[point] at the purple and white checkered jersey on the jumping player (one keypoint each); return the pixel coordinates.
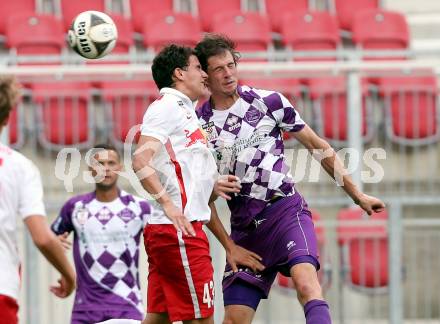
(247, 139)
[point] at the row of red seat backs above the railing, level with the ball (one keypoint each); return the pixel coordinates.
(31, 34)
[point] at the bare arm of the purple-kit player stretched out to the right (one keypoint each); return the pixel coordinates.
(322, 151)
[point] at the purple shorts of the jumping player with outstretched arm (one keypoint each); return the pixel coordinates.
(283, 234)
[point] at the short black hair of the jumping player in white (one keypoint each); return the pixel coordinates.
(169, 58)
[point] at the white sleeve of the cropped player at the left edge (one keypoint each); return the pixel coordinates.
(31, 192)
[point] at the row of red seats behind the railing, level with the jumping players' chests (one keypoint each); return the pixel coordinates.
(65, 110)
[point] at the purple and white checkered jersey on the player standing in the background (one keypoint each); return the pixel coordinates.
(106, 250)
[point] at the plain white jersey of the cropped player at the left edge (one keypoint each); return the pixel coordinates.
(21, 193)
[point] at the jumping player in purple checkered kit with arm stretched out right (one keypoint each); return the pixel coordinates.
(244, 126)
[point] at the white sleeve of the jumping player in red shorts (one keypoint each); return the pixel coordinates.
(158, 121)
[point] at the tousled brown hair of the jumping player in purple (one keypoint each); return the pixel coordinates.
(214, 44)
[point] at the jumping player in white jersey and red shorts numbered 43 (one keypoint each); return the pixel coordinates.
(181, 177)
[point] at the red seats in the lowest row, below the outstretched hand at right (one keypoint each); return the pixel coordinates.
(364, 252)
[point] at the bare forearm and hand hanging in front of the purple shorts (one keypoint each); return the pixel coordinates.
(235, 255)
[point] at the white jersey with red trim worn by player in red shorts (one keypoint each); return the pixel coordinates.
(185, 166)
